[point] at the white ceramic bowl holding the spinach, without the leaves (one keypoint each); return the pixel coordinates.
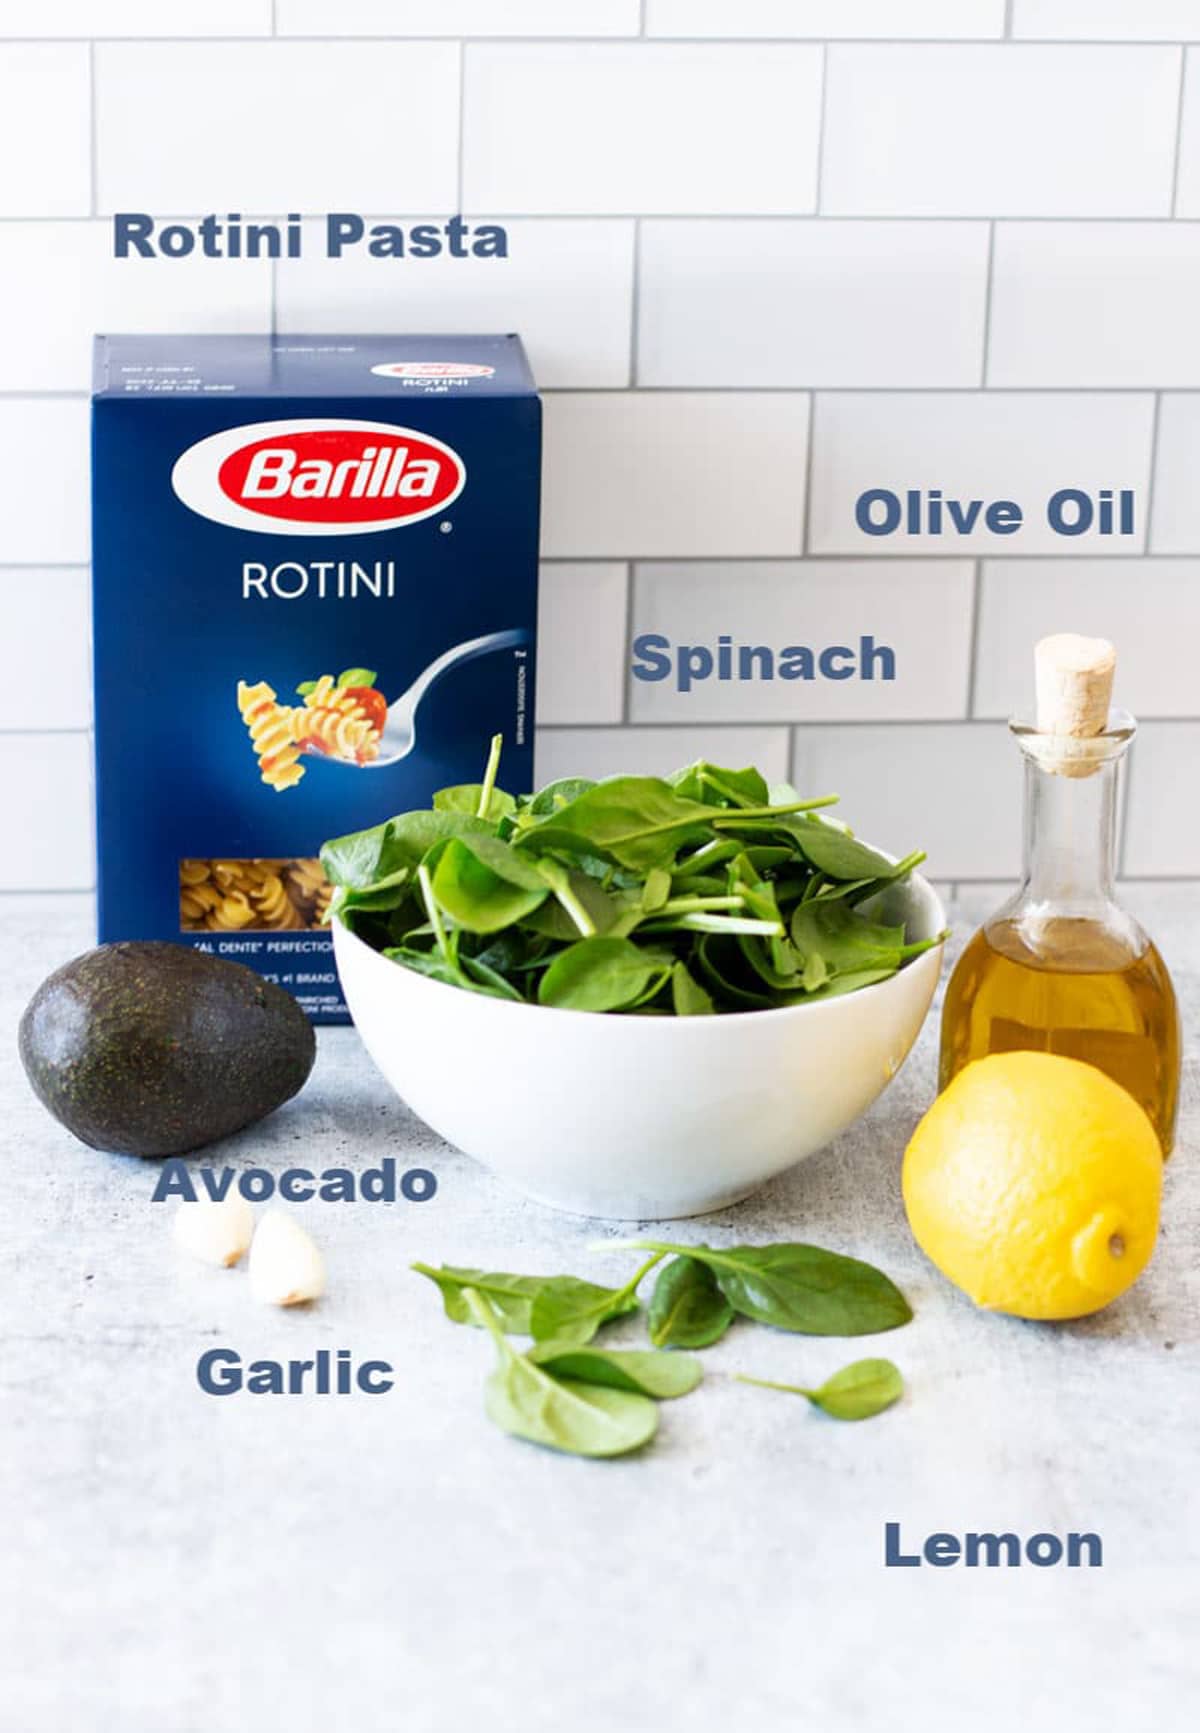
(639, 1117)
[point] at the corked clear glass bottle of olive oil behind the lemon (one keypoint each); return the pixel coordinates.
(1062, 968)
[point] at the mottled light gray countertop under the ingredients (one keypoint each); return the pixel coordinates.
(179, 1562)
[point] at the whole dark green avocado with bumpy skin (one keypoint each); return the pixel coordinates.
(157, 1049)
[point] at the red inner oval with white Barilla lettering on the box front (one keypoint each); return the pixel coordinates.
(342, 476)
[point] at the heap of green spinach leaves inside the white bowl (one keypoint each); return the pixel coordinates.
(695, 895)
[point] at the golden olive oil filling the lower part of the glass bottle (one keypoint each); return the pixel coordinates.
(1071, 987)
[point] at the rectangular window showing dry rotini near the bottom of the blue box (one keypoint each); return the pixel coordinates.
(261, 895)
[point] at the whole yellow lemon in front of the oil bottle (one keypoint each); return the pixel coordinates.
(1034, 1185)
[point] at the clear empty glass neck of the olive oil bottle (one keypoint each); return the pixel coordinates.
(1071, 833)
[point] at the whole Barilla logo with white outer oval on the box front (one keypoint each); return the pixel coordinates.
(318, 477)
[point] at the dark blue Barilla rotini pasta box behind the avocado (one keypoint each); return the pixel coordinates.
(315, 604)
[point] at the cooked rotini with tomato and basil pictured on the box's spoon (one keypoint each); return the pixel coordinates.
(339, 718)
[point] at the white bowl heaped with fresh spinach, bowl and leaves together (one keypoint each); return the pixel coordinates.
(639, 997)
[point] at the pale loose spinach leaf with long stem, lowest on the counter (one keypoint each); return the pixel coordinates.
(563, 1413)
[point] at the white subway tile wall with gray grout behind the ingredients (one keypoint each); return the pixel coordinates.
(767, 257)
